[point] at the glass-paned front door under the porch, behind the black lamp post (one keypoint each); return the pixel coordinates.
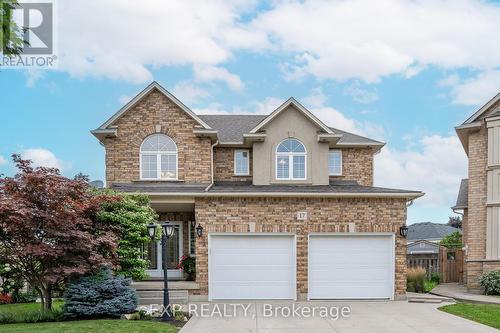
(174, 253)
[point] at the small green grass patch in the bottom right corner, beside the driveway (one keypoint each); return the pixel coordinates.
(487, 314)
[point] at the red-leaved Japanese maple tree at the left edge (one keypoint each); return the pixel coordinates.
(48, 229)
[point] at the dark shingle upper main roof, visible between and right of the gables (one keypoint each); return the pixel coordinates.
(232, 127)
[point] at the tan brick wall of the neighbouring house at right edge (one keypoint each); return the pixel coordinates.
(475, 222)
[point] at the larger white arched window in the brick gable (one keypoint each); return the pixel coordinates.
(158, 158)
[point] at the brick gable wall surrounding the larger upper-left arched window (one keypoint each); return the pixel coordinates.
(122, 152)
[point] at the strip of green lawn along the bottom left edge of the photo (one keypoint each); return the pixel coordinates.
(92, 326)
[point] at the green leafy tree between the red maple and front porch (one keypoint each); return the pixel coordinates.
(133, 213)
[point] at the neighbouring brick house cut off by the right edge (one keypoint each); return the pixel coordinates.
(479, 195)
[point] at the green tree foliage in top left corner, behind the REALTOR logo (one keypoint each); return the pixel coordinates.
(11, 35)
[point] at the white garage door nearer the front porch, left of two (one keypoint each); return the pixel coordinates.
(251, 267)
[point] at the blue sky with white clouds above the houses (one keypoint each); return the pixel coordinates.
(404, 72)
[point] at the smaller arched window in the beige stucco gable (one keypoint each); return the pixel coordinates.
(291, 157)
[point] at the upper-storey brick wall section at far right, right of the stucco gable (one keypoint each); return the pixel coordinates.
(357, 164)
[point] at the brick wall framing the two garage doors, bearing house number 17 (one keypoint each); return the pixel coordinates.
(278, 215)
